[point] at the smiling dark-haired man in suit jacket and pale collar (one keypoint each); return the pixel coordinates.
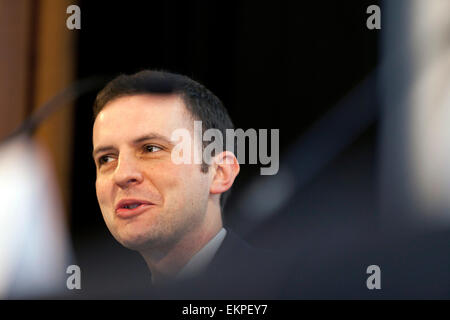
(171, 213)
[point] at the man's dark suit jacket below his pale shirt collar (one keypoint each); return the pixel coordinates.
(237, 271)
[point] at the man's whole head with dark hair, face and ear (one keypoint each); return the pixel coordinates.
(135, 117)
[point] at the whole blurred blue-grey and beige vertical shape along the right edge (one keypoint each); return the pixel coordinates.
(415, 79)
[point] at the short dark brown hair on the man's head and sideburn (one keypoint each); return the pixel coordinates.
(202, 104)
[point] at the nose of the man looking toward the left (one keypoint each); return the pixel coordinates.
(127, 172)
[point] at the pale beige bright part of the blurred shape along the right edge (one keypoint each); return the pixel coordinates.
(430, 105)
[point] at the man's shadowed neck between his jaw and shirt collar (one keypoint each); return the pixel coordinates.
(165, 263)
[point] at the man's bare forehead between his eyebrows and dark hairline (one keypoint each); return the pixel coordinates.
(131, 116)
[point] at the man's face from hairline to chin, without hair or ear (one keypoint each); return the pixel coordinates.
(147, 200)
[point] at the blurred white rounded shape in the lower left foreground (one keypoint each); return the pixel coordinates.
(34, 244)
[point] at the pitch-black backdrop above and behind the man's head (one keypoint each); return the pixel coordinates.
(274, 65)
